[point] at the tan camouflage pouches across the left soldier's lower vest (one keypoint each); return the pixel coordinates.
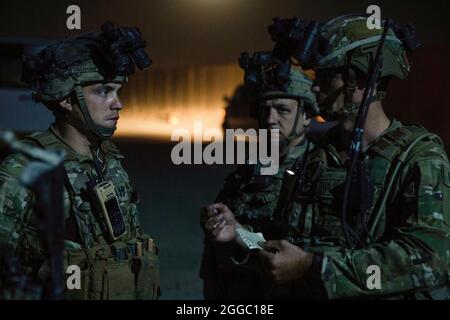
(116, 272)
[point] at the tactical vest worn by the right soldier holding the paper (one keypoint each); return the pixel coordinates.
(319, 199)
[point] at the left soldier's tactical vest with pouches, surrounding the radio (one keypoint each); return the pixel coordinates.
(127, 268)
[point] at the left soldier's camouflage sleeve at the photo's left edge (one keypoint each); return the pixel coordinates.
(14, 200)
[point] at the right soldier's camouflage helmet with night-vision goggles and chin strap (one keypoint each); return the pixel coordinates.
(346, 43)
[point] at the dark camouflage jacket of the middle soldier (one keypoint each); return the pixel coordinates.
(253, 198)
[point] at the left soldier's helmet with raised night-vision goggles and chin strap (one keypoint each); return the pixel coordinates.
(63, 68)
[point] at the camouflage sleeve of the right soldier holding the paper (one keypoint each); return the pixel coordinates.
(414, 258)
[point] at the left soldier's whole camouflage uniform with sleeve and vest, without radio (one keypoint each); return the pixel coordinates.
(124, 269)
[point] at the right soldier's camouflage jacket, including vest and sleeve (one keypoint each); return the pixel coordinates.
(411, 244)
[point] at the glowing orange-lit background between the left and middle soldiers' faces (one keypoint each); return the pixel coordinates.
(158, 102)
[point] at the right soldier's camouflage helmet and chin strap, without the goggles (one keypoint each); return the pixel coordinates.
(351, 47)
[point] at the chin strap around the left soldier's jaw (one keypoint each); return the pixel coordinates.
(95, 133)
